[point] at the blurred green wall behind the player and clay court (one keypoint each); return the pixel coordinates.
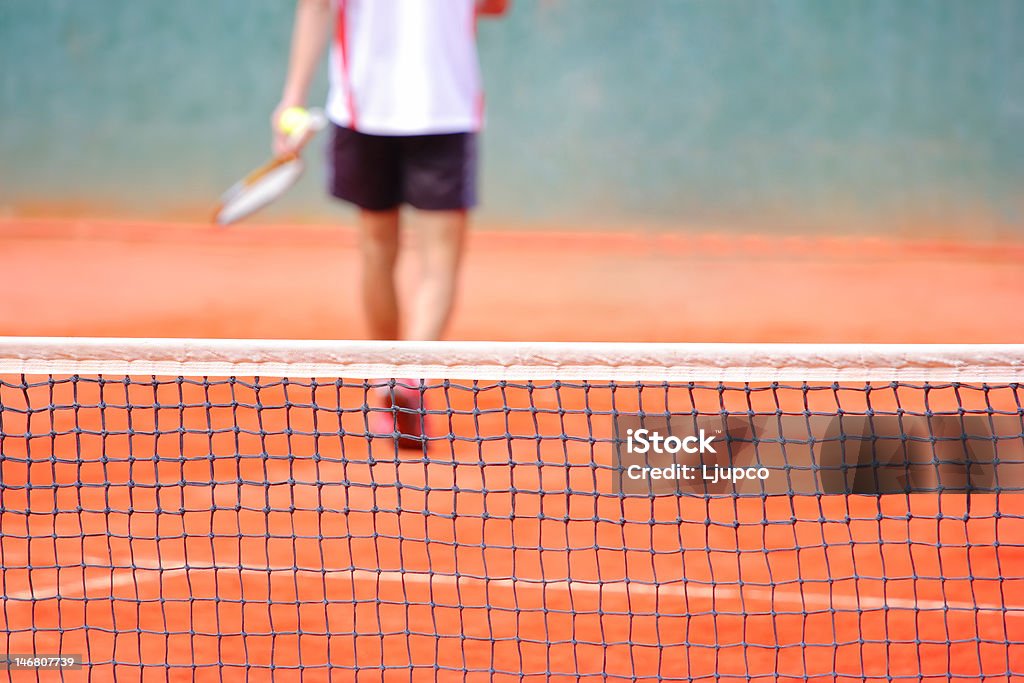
(842, 115)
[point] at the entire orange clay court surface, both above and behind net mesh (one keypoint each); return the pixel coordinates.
(163, 551)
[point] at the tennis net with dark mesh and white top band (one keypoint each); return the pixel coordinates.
(212, 510)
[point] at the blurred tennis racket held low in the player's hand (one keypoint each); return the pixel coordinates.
(270, 182)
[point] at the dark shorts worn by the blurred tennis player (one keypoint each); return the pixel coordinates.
(381, 173)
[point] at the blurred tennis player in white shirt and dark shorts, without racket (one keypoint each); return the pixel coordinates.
(406, 106)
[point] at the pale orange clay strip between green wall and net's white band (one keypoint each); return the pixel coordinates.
(151, 280)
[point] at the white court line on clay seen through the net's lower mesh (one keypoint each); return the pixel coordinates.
(155, 570)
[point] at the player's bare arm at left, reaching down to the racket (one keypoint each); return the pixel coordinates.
(313, 18)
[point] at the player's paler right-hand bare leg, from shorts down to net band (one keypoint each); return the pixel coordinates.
(441, 236)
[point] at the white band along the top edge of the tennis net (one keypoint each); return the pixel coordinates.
(515, 361)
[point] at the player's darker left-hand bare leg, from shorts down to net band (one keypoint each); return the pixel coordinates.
(379, 243)
